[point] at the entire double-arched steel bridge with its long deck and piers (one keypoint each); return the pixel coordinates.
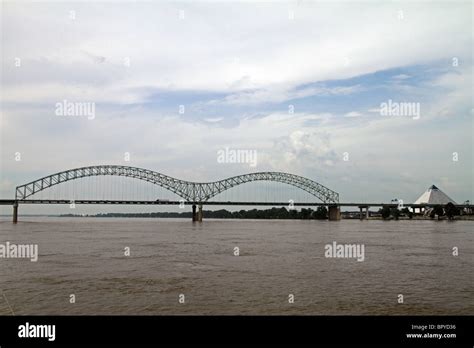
(193, 194)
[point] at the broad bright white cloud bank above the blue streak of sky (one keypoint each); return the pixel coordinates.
(213, 49)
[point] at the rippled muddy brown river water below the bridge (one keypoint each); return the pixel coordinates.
(85, 257)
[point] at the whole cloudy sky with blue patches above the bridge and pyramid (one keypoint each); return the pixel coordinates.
(301, 83)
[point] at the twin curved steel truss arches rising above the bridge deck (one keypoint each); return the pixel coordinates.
(198, 192)
